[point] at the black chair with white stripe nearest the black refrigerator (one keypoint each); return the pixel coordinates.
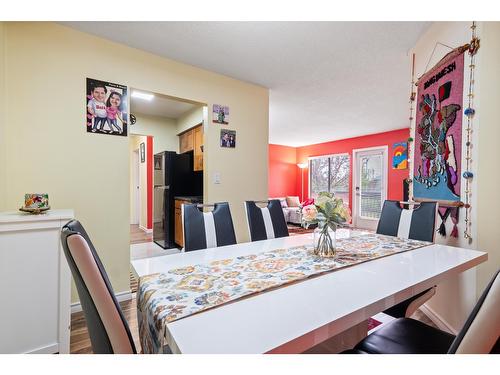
(203, 230)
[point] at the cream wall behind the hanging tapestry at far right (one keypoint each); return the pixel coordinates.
(456, 297)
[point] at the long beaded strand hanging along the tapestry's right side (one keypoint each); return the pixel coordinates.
(469, 113)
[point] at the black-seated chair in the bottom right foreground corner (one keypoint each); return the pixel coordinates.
(479, 335)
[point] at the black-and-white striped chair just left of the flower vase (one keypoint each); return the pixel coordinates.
(265, 222)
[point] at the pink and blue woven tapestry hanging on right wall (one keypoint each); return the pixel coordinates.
(438, 135)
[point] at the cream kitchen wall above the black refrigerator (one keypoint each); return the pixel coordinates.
(163, 130)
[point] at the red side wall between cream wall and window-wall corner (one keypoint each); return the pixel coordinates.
(282, 171)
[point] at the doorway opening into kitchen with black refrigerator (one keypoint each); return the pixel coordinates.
(169, 134)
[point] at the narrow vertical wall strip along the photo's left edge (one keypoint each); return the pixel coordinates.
(3, 177)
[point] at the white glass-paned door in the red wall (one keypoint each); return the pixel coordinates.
(370, 186)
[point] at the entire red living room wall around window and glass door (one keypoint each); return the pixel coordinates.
(280, 178)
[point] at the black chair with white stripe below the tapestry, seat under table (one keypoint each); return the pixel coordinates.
(418, 223)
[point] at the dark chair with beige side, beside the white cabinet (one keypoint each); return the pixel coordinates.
(108, 329)
